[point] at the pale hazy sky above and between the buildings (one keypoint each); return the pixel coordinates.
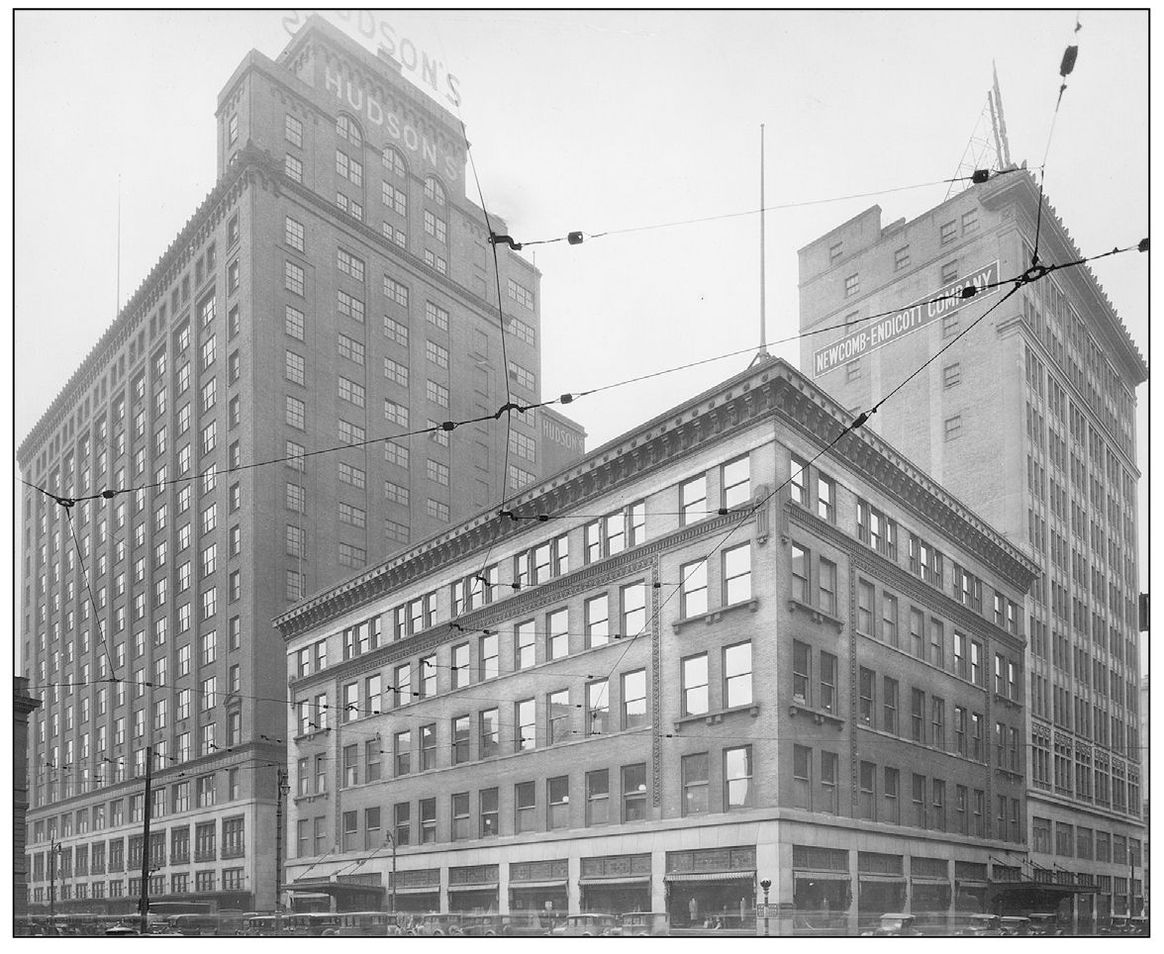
(599, 123)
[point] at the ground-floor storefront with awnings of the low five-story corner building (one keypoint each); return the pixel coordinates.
(824, 879)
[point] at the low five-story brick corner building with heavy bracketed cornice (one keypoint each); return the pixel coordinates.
(737, 644)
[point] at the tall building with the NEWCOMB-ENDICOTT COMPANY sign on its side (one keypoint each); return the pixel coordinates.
(1031, 419)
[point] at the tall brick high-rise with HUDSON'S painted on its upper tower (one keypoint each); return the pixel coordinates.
(335, 290)
